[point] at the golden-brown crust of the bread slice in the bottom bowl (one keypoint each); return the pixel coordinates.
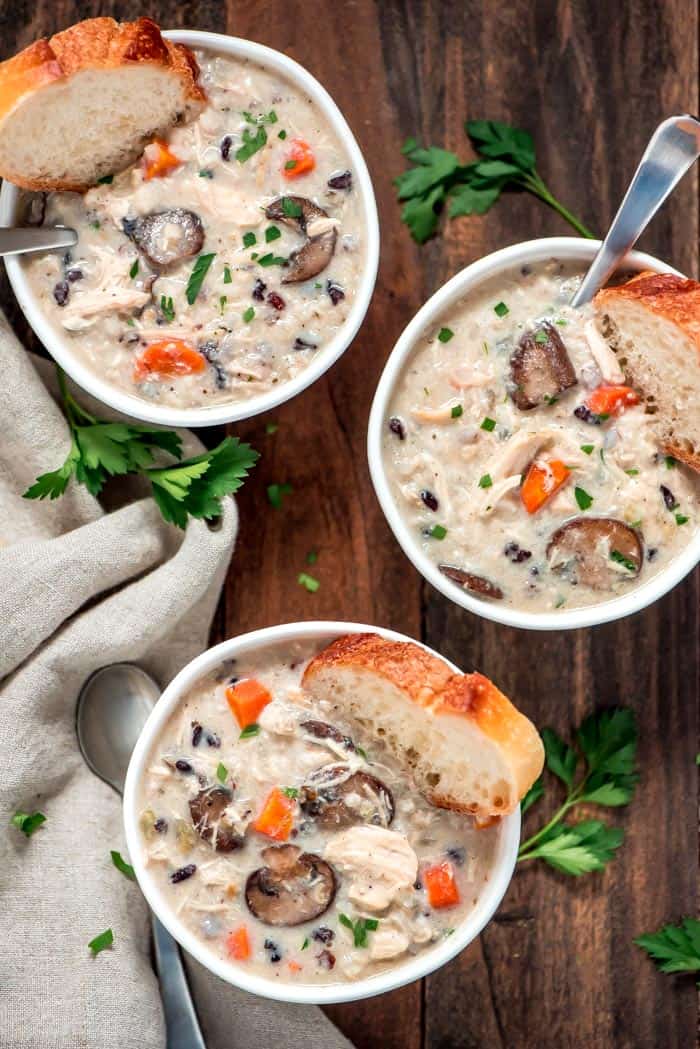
(428, 681)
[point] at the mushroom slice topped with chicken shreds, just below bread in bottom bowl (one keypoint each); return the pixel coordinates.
(335, 797)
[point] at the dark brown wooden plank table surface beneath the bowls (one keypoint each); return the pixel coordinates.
(557, 968)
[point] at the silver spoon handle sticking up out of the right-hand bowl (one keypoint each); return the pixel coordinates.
(673, 148)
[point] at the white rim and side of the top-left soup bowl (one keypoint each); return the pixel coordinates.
(59, 346)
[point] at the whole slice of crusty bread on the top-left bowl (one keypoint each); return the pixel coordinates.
(83, 104)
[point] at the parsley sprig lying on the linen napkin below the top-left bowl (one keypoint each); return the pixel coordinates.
(100, 451)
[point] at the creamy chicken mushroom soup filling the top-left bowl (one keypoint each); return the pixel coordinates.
(221, 264)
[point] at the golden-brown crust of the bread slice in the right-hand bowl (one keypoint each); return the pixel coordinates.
(675, 299)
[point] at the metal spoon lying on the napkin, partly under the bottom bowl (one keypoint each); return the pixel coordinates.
(113, 708)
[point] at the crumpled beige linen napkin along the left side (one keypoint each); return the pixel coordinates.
(80, 589)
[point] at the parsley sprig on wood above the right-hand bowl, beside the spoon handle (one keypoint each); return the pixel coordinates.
(506, 161)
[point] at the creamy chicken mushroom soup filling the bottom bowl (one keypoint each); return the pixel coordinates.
(291, 844)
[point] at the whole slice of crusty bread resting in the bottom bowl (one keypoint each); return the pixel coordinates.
(468, 746)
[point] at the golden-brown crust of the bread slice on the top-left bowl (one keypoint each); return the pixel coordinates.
(96, 44)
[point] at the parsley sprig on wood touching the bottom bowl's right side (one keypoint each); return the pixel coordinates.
(607, 751)
